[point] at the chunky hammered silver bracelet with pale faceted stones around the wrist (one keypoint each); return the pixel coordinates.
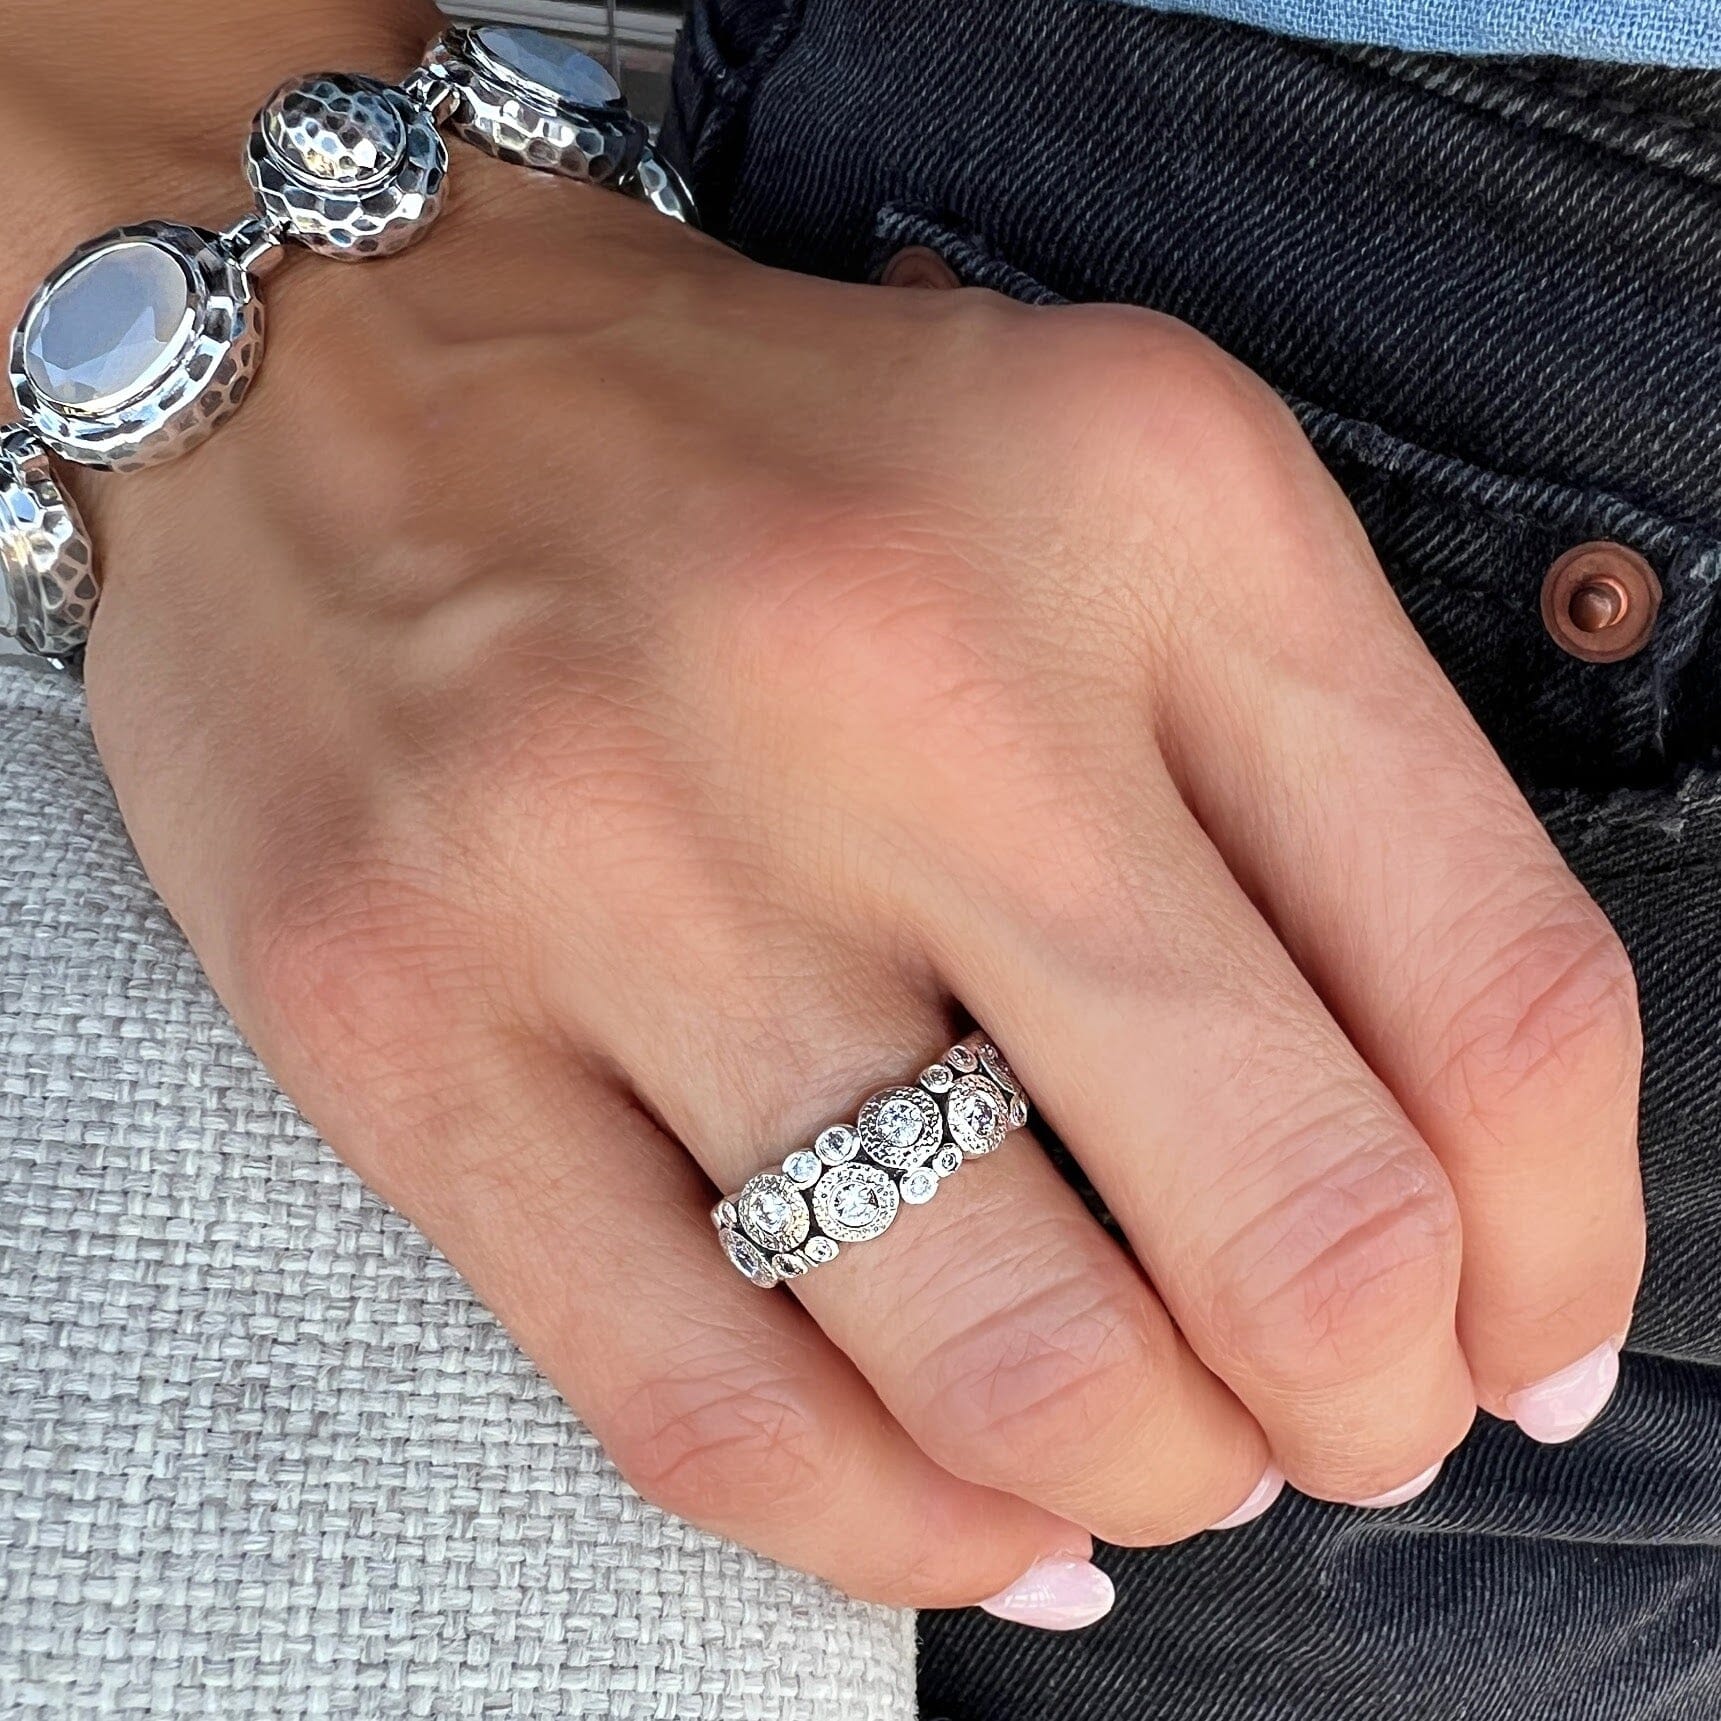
(147, 338)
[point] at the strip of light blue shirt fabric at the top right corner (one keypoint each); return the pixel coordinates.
(1646, 32)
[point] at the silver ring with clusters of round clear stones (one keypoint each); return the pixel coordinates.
(853, 1181)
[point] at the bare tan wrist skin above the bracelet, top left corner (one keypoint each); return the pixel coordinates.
(159, 102)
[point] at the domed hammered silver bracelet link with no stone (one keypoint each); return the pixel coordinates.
(347, 166)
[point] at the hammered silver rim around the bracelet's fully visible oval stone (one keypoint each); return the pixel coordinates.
(182, 400)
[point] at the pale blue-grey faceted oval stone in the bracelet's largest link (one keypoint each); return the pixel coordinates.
(111, 328)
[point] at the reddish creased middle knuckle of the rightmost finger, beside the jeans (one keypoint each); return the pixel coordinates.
(1555, 1011)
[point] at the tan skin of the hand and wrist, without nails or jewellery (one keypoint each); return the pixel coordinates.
(605, 706)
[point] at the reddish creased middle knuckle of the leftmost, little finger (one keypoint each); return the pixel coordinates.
(737, 1447)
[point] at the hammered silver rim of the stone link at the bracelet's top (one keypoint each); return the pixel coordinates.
(507, 114)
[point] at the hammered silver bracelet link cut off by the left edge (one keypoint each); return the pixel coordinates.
(49, 579)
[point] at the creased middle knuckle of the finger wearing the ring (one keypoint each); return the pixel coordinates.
(1037, 1386)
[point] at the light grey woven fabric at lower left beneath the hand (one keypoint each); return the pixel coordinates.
(262, 1455)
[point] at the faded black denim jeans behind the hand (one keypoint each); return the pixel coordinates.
(1495, 295)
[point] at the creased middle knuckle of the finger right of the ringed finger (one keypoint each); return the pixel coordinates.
(1343, 1271)
